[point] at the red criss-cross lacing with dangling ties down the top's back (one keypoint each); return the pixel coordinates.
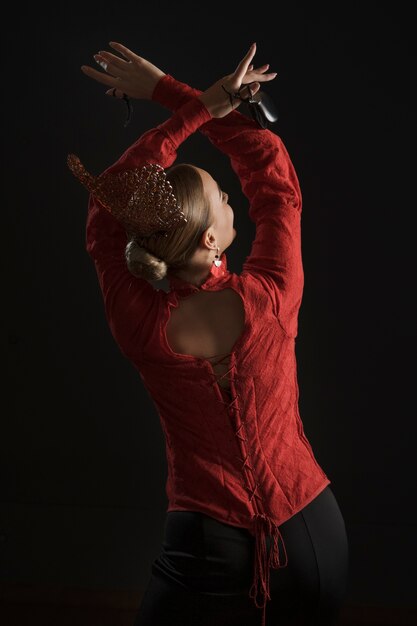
(263, 526)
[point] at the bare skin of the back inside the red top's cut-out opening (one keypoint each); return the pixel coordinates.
(207, 325)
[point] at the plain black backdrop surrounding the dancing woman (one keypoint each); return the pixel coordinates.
(83, 460)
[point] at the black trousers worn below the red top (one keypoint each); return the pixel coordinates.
(204, 571)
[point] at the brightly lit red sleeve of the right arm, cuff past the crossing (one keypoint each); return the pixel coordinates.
(269, 181)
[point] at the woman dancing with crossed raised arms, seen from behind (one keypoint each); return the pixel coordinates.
(251, 516)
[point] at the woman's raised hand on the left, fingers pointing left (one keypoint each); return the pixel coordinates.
(134, 76)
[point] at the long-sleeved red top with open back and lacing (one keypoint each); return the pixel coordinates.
(240, 457)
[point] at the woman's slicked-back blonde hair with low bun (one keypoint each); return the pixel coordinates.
(150, 257)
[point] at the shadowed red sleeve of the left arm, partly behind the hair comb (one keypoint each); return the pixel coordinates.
(129, 301)
